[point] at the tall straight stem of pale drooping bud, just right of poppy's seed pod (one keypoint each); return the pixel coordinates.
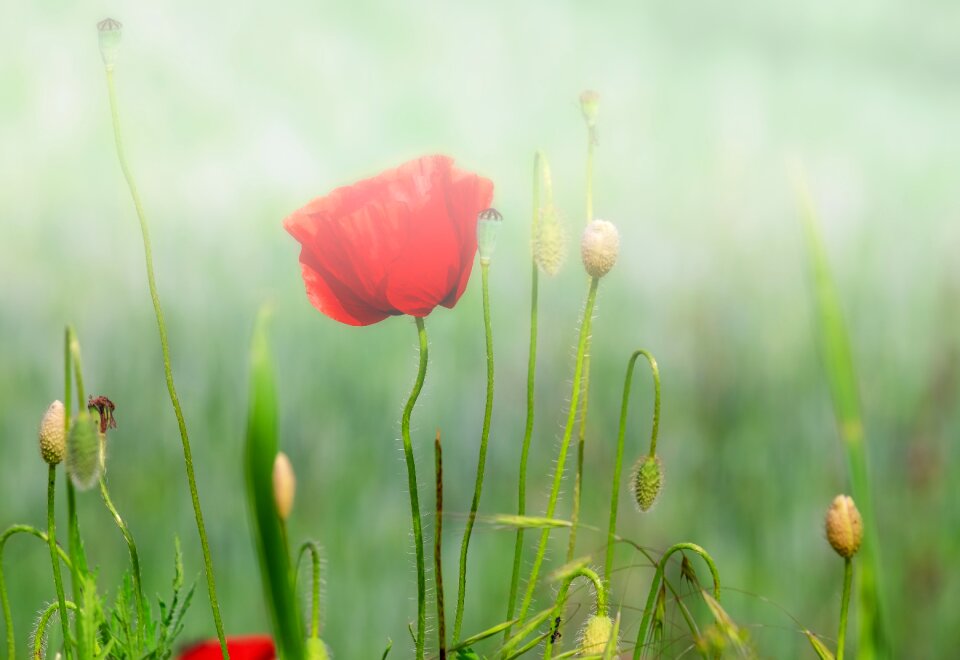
(531, 377)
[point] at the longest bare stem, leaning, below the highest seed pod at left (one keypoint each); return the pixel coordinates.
(168, 372)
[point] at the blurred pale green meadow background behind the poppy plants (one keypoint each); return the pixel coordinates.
(235, 117)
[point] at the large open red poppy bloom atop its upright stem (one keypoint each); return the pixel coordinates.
(402, 242)
